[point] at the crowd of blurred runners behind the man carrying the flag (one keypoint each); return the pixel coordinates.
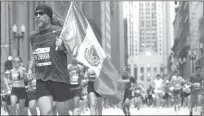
(18, 92)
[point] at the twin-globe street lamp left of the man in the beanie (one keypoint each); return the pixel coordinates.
(18, 36)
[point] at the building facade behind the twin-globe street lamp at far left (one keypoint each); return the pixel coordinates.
(20, 14)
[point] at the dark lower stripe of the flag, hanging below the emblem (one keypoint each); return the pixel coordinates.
(113, 91)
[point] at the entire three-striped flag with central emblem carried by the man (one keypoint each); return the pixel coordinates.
(77, 32)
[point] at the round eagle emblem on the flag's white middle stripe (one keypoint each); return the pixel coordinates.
(91, 56)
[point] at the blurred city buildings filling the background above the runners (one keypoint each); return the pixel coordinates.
(145, 37)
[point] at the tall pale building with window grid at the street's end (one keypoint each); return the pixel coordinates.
(150, 35)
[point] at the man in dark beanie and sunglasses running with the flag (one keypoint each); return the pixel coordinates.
(50, 64)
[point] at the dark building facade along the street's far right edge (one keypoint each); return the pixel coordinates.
(188, 36)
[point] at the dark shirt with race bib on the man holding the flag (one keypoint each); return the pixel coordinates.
(49, 63)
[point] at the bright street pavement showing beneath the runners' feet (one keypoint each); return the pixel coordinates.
(142, 111)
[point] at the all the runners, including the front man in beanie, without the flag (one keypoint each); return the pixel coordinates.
(45, 84)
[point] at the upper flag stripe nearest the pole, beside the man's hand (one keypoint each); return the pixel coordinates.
(74, 29)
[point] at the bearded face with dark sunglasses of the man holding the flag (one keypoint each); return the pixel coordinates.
(41, 19)
